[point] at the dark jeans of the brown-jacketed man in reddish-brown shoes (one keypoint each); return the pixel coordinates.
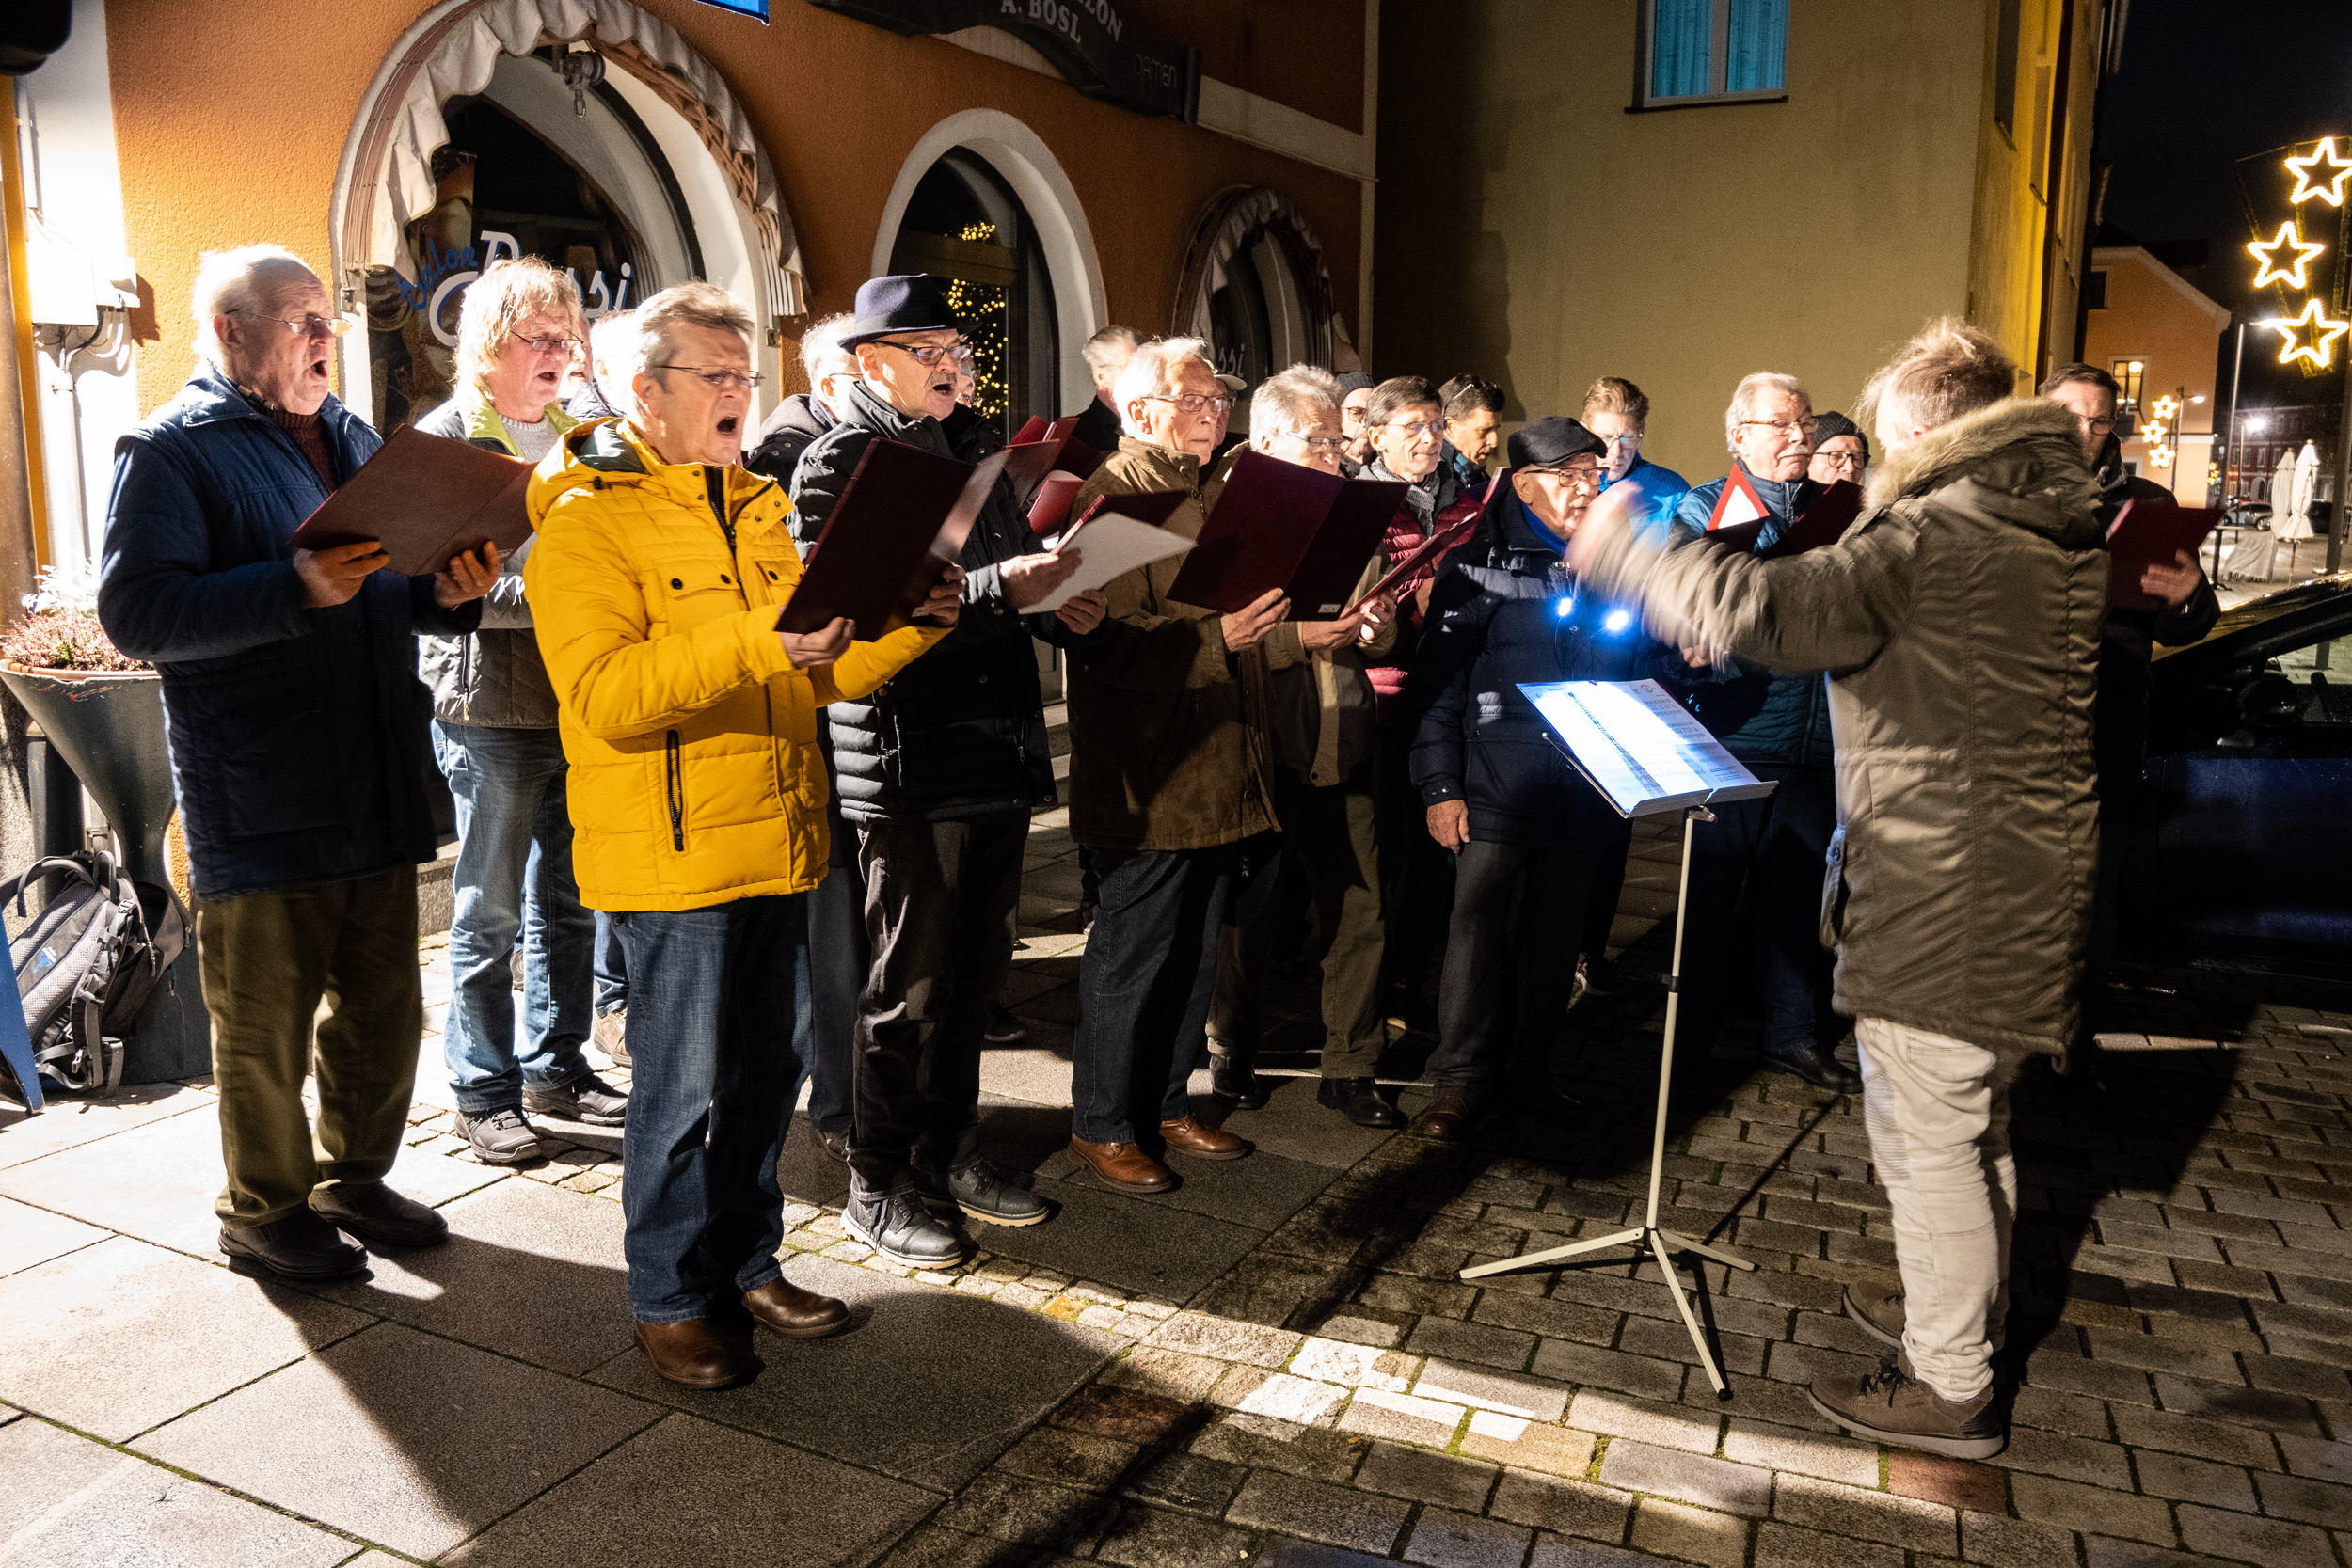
(1144, 989)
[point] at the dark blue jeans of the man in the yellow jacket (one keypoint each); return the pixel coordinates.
(714, 1005)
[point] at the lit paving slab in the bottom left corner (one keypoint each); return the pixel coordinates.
(74, 1503)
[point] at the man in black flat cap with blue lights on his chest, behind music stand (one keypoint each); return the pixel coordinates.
(1525, 829)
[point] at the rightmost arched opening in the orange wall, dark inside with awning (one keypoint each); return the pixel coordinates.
(1255, 286)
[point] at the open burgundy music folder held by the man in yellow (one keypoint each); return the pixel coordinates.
(900, 523)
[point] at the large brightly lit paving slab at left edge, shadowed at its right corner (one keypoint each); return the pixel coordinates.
(201, 1332)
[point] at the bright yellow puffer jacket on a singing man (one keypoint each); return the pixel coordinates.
(693, 742)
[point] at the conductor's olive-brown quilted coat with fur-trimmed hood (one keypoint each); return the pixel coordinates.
(1960, 624)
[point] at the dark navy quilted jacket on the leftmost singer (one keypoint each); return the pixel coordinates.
(298, 735)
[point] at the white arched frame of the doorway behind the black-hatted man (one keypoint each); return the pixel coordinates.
(1001, 161)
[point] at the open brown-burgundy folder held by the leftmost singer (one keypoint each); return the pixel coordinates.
(425, 500)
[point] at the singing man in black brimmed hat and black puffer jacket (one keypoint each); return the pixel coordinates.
(937, 772)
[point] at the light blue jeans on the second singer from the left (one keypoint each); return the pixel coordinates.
(514, 873)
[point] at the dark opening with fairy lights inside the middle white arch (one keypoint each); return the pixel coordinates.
(965, 225)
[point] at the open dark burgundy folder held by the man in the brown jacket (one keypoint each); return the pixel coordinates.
(1283, 525)
